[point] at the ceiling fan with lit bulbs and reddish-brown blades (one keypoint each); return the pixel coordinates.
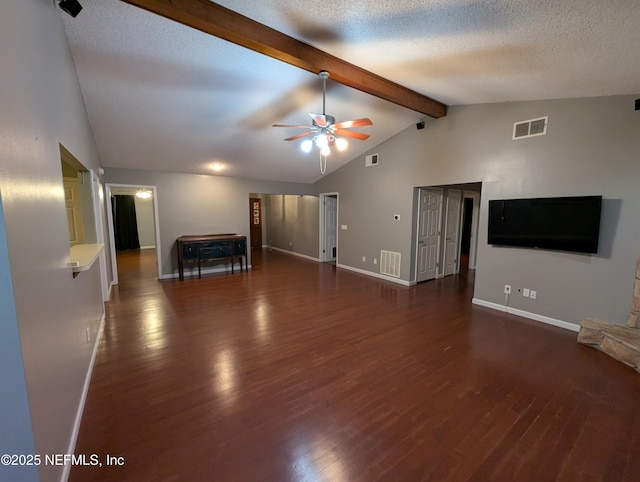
(324, 130)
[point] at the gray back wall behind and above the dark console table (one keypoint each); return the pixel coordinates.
(199, 204)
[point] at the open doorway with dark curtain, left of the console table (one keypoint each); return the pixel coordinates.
(132, 215)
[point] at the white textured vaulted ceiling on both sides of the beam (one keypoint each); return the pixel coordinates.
(166, 97)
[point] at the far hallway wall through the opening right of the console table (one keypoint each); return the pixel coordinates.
(292, 223)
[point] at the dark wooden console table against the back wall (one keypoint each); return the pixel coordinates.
(208, 247)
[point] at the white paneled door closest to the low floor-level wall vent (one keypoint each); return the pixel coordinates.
(429, 234)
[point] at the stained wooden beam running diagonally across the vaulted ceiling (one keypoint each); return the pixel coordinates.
(226, 24)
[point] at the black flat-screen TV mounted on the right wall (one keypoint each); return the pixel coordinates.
(555, 223)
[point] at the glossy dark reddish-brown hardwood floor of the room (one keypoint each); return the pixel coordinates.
(298, 371)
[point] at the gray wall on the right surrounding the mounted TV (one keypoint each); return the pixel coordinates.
(592, 148)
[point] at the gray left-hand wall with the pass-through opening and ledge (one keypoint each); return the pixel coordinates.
(41, 106)
